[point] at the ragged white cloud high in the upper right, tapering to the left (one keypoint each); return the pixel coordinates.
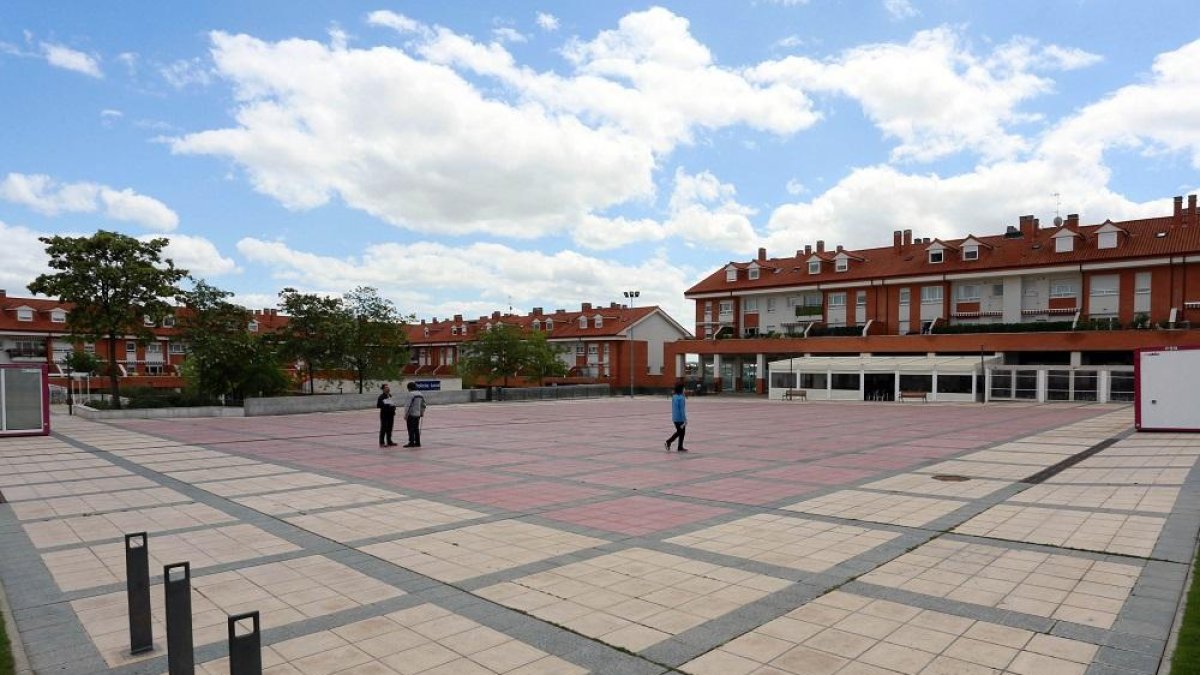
(935, 95)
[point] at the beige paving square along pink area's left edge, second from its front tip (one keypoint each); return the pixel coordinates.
(380, 521)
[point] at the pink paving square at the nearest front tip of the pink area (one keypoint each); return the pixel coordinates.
(635, 516)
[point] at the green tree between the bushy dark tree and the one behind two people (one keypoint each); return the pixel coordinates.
(317, 334)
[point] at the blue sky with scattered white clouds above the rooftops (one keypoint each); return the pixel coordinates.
(465, 157)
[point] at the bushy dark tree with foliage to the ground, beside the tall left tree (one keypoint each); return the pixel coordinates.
(224, 357)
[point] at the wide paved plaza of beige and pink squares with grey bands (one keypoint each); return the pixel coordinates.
(559, 539)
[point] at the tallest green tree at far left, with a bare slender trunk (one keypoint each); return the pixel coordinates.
(112, 282)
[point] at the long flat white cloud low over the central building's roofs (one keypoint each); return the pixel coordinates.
(493, 273)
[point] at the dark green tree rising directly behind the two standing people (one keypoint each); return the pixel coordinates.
(379, 345)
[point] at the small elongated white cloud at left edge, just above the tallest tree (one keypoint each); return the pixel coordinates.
(46, 196)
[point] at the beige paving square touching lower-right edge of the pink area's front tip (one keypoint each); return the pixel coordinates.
(785, 541)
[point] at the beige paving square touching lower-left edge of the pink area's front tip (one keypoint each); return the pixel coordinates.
(479, 549)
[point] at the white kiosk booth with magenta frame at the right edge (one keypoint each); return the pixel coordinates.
(1166, 390)
